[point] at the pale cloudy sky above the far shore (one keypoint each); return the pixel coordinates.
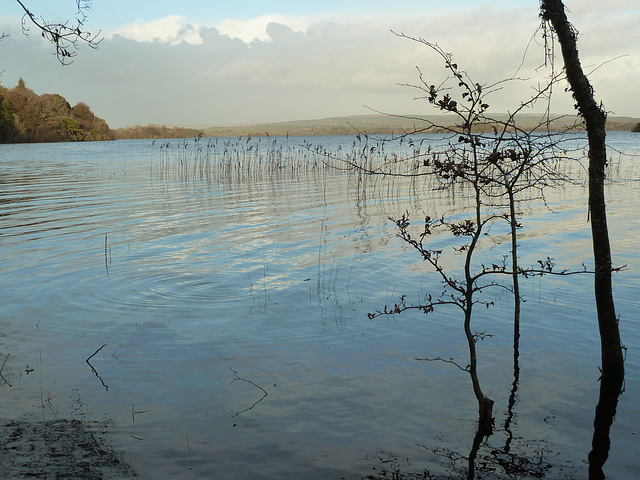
(202, 63)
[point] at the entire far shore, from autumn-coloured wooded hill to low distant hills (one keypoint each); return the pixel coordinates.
(28, 117)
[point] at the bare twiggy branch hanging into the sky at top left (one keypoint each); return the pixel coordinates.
(64, 36)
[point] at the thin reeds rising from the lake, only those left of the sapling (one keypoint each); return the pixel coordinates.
(380, 169)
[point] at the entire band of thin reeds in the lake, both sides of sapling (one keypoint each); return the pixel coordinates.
(380, 168)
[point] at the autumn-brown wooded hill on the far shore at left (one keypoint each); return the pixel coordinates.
(28, 117)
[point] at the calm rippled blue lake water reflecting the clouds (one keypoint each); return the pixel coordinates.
(226, 296)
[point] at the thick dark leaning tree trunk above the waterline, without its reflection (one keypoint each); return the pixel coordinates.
(595, 119)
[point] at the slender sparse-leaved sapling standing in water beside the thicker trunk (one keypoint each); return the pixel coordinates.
(497, 164)
